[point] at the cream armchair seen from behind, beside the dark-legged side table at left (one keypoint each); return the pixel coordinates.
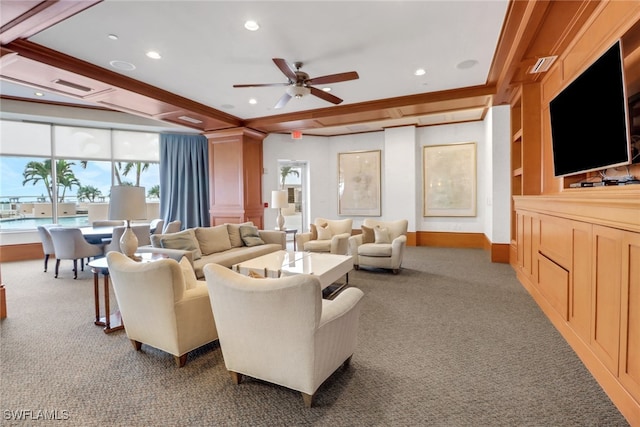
(162, 305)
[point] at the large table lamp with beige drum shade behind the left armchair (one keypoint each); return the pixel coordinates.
(128, 203)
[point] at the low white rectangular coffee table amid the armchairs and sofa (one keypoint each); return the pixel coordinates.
(327, 267)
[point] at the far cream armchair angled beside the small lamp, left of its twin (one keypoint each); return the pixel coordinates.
(327, 235)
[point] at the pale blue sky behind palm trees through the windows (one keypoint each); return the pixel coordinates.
(97, 174)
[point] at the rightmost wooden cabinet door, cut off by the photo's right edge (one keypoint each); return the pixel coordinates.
(630, 315)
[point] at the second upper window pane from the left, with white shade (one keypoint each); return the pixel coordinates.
(82, 143)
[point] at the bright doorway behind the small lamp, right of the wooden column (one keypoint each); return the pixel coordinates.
(293, 178)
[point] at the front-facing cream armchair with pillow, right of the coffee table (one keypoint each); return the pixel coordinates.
(380, 245)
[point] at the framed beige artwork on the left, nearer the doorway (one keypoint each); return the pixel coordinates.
(359, 183)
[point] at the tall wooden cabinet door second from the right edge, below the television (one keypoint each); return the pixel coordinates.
(605, 318)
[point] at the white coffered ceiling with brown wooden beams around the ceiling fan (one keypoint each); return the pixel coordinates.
(93, 53)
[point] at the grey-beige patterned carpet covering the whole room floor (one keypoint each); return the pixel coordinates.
(453, 340)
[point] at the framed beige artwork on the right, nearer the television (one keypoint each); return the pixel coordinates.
(449, 179)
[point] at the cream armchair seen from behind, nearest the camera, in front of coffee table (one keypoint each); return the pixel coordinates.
(281, 330)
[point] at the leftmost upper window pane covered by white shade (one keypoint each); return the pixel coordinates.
(25, 139)
